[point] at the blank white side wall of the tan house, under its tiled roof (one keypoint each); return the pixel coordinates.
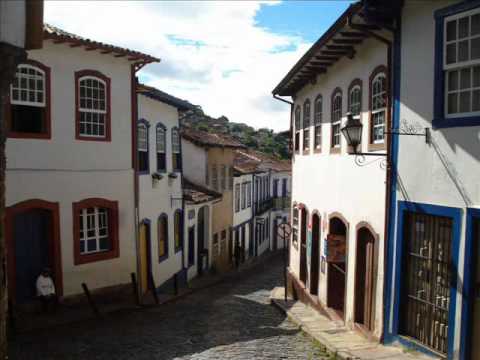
(195, 162)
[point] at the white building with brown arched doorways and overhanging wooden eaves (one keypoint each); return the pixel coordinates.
(336, 252)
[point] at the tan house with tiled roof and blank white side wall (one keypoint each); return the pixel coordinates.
(209, 160)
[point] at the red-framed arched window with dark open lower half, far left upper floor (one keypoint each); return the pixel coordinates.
(29, 115)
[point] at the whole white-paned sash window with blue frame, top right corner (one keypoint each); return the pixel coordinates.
(457, 66)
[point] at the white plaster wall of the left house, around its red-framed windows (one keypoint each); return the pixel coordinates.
(66, 170)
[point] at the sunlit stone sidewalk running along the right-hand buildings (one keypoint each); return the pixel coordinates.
(345, 343)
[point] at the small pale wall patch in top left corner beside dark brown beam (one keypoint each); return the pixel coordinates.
(12, 22)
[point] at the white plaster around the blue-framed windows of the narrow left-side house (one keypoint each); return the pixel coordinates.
(155, 196)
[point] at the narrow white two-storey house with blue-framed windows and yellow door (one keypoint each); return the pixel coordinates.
(161, 217)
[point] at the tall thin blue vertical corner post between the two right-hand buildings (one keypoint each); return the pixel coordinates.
(396, 83)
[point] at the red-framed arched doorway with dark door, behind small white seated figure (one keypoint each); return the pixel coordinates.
(33, 241)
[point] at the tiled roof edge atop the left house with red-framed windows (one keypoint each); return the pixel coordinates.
(60, 36)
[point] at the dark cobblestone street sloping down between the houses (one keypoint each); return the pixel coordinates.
(229, 321)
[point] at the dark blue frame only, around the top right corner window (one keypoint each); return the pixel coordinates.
(439, 121)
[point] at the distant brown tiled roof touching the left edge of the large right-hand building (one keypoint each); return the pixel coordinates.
(251, 161)
